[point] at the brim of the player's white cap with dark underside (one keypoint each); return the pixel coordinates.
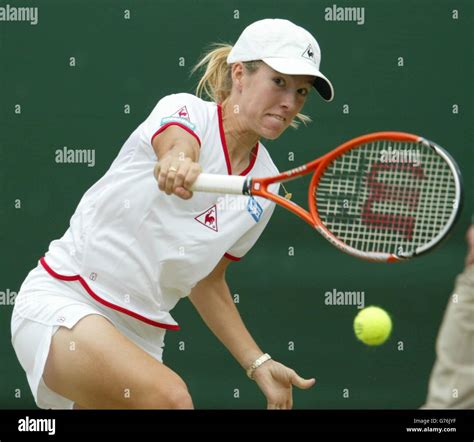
(291, 66)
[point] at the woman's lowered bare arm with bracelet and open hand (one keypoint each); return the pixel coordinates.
(212, 299)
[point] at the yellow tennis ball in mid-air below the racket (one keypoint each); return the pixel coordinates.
(372, 325)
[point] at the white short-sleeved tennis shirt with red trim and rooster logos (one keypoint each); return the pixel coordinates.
(138, 250)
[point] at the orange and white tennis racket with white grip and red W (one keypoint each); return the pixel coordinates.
(384, 196)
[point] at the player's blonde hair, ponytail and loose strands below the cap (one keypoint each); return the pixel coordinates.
(216, 82)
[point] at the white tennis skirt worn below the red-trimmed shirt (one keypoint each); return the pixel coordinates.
(44, 304)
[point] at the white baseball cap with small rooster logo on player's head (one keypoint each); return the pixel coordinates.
(285, 47)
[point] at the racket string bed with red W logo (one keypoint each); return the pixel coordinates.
(386, 196)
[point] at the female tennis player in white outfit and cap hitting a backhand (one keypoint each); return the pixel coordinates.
(90, 319)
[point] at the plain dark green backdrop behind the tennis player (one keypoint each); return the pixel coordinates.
(135, 61)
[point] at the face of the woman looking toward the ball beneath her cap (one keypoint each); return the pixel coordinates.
(269, 100)
